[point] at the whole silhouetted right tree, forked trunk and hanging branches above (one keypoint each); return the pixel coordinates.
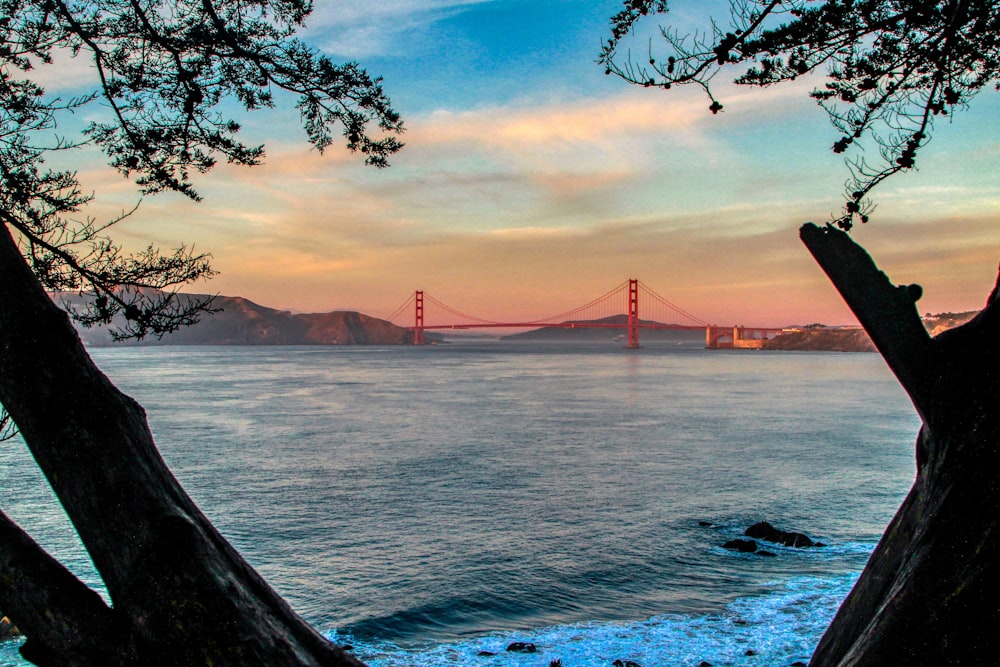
(928, 595)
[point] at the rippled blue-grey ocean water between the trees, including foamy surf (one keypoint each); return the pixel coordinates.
(429, 506)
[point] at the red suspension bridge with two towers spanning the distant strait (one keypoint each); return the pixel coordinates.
(616, 309)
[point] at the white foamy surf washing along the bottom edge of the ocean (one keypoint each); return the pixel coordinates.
(778, 629)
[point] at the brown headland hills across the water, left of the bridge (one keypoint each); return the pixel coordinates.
(243, 322)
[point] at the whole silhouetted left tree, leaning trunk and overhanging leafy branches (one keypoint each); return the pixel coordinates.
(166, 76)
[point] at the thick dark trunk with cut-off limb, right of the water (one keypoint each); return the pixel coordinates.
(930, 593)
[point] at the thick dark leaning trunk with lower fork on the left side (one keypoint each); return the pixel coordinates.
(180, 594)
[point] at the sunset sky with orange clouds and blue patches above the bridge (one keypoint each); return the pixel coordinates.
(532, 183)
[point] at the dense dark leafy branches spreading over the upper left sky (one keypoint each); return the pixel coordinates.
(163, 72)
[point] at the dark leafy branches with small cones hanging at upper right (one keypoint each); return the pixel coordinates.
(892, 67)
